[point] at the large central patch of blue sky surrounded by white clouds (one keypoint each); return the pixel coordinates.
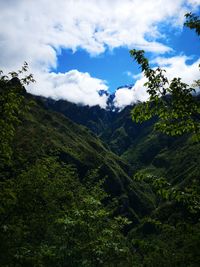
(110, 66)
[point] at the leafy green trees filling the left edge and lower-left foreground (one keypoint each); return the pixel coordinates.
(48, 217)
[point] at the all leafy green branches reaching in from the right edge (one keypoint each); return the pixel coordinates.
(176, 108)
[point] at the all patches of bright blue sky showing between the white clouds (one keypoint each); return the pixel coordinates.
(114, 66)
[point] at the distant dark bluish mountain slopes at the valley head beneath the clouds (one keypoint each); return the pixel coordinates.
(116, 129)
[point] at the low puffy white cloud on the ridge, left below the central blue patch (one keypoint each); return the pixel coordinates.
(74, 86)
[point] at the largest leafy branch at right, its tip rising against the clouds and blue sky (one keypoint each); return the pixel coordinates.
(172, 102)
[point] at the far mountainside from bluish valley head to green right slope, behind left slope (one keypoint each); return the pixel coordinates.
(137, 144)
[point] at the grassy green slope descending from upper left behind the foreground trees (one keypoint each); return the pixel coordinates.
(45, 132)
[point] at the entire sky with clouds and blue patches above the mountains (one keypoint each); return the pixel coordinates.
(76, 48)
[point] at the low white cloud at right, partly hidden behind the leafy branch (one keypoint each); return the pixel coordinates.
(175, 67)
